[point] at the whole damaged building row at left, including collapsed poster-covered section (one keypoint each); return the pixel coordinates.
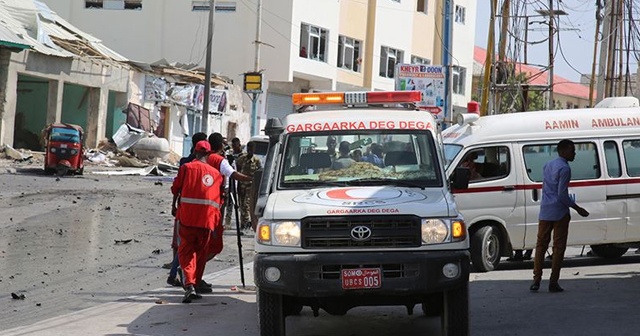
(50, 71)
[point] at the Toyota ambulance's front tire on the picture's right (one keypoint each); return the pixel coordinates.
(455, 315)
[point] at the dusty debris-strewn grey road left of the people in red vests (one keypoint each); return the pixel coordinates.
(82, 241)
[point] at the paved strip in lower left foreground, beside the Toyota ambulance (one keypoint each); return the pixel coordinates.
(160, 312)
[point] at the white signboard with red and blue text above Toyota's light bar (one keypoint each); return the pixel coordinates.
(429, 79)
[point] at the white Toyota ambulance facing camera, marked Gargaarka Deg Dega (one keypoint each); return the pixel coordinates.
(355, 210)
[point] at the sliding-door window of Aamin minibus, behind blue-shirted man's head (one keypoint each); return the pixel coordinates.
(584, 166)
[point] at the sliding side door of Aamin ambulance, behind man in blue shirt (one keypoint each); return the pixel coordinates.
(586, 188)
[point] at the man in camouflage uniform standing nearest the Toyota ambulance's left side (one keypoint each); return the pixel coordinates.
(247, 164)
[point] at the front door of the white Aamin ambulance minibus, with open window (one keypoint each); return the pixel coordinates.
(492, 194)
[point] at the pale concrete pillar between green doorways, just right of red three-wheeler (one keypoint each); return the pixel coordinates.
(96, 116)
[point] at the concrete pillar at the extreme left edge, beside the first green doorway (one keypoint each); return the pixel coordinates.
(8, 97)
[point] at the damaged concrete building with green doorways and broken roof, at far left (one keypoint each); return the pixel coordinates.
(52, 72)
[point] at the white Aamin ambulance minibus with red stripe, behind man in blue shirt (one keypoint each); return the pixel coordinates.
(506, 154)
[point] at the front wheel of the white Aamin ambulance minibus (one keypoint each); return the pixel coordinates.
(485, 249)
